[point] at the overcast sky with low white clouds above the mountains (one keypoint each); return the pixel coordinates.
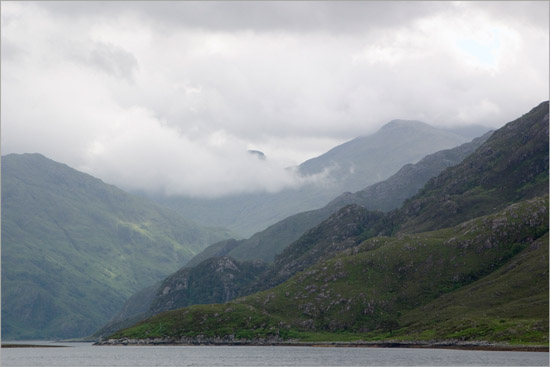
(168, 97)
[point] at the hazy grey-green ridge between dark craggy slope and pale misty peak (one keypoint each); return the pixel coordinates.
(386, 195)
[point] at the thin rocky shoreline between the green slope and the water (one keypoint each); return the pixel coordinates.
(276, 341)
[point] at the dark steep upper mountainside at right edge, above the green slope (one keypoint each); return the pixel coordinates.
(512, 165)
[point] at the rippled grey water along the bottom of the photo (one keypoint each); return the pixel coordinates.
(84, 354)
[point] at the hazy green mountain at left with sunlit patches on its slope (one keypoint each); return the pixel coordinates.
(74, 248)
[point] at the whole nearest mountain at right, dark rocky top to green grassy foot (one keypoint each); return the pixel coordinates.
(344, 277)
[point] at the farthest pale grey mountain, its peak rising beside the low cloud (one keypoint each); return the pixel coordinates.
(348, 167)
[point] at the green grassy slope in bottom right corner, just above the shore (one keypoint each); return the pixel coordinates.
(510, 304)
